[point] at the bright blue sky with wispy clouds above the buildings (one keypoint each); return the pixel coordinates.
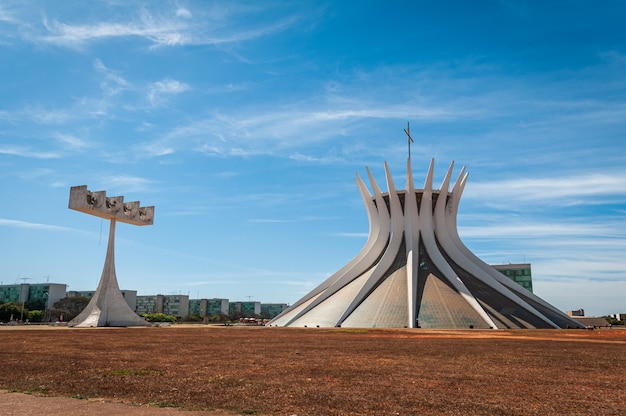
(245, 124)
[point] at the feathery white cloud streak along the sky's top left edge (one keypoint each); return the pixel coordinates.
(226, 23)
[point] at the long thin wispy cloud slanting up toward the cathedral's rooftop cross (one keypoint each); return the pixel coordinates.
(258, 131)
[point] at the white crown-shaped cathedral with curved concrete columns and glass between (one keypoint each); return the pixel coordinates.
(414, 271)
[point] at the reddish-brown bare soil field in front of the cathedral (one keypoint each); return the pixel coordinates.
(314, 371)
